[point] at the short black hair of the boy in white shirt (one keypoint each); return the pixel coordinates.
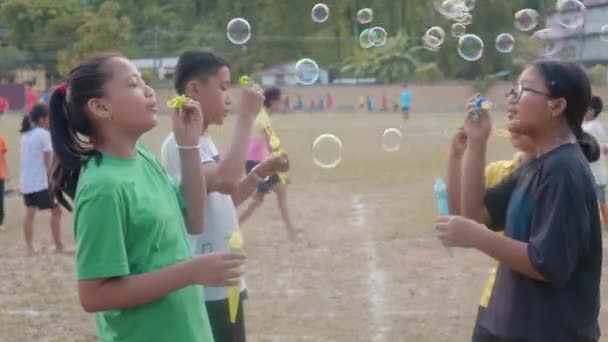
(198, 63)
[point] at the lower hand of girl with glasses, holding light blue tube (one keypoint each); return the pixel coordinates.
(458, 231)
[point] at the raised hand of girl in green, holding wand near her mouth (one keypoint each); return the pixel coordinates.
(188, 123)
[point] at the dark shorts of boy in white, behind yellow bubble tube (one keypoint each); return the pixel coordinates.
(219, 318)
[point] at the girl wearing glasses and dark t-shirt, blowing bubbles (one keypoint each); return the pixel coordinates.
(547, 283)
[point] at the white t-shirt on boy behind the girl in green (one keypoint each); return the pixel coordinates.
(220, 219)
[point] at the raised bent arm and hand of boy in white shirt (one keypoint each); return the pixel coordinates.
(225, 175)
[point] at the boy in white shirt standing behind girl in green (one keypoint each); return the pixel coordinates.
(205, 77)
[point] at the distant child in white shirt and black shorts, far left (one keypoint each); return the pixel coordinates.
(35, 169)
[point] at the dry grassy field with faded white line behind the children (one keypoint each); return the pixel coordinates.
(371, 271)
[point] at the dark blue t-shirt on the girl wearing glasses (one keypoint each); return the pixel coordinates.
(551, 204)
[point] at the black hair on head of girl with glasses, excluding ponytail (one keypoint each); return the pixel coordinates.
(569, 81)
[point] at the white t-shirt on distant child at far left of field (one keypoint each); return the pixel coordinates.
(32, 171)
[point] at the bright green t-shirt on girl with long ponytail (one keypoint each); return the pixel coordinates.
(128, 220)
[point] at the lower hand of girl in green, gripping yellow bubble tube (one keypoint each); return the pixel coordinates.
(216, 269)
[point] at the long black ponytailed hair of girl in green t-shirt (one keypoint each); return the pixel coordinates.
(71, 131)
